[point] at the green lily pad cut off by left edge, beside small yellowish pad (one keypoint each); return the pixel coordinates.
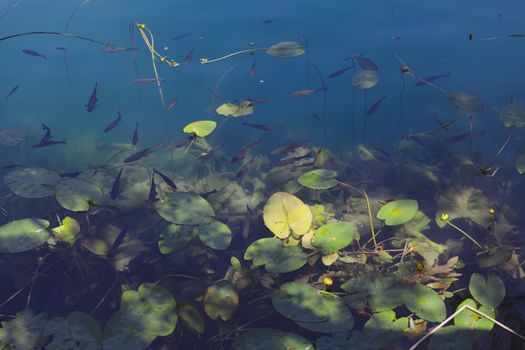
(23, 235)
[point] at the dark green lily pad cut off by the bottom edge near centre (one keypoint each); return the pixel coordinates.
(267, 338)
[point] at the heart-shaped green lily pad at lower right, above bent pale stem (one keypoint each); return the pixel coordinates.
(489, 291)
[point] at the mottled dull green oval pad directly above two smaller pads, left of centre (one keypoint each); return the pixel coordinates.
(185, 208)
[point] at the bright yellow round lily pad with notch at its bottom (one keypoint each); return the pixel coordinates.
(284, 212)
